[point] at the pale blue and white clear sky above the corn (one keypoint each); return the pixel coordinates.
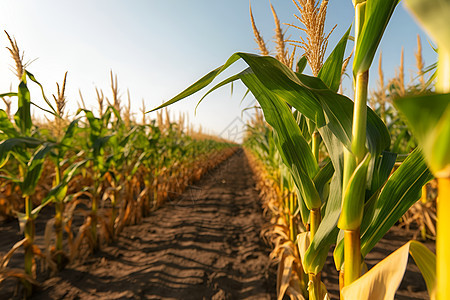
(159, 47)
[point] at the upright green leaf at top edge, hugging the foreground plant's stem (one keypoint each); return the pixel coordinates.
(377, 16)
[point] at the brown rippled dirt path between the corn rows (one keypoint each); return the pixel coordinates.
(204, 244)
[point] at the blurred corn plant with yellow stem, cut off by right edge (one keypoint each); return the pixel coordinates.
(434, 128)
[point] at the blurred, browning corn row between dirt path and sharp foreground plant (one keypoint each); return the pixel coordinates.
(279, 197)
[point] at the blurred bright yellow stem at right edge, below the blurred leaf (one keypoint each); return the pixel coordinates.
(443, 240)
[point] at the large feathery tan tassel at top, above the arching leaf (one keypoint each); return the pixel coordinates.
(312, 16)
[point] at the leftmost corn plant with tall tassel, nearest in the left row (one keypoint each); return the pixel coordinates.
(19, 139)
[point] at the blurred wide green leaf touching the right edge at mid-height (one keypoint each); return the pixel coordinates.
(433, 130)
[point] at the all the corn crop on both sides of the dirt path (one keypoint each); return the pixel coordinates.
(334, 174)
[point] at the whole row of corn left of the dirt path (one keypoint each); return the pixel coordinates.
(105, 168)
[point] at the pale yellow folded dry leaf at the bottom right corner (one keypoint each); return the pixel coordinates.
(383, 280)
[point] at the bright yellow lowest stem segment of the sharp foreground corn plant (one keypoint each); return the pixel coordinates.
(352, 256)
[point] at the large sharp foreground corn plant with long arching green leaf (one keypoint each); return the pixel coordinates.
(365, 201)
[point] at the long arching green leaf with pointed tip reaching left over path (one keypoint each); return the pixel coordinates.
(308, 95)
